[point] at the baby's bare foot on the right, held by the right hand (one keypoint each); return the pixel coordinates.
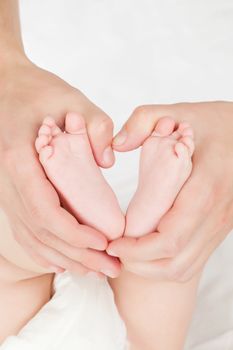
(165, 165)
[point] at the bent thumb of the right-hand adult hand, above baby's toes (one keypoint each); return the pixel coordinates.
(140, 125)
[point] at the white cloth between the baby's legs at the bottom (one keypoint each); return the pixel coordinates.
(81, 316)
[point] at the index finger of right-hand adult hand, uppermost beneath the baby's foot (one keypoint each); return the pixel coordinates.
(174, 231)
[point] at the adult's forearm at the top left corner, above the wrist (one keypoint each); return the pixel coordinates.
(11, 45)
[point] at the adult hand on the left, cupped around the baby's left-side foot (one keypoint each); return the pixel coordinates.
(48, 232)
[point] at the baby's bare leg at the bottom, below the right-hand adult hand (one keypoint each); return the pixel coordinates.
(157, 314)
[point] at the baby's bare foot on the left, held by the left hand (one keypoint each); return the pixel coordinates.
(69, 164)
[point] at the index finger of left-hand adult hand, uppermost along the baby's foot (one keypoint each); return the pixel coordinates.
(43, 208)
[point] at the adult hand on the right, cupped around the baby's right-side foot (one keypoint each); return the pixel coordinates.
(202, 214)
